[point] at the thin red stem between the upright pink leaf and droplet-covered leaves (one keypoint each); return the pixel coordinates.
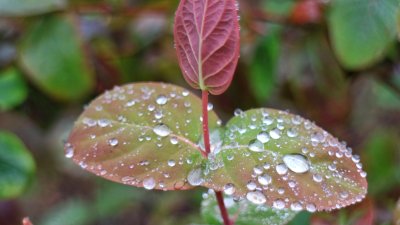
(206, 134)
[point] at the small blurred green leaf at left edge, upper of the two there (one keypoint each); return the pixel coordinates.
(13, 90)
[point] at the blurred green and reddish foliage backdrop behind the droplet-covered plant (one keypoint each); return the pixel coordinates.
(336, 62)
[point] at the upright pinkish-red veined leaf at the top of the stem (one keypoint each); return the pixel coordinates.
(207, 43)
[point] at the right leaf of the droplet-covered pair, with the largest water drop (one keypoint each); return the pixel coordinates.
(299, 166)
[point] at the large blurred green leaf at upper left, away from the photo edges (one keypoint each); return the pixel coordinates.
(52, 56)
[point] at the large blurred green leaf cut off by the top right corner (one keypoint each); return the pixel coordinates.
(362, 30)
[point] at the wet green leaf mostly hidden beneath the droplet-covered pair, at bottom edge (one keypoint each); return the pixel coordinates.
(243, 211)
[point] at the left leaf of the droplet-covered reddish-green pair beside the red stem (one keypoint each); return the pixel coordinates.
(143, 134)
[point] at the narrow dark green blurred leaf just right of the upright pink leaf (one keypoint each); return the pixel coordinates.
(264, 65)
